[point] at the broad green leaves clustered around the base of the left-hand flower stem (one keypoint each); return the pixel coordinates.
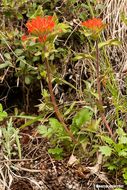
(58, 137)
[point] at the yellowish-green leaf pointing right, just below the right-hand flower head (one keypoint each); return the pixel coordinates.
(109, 43)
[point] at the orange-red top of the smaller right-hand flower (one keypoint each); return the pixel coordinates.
(93, 24)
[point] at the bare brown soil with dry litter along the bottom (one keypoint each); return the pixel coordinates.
(37, 170)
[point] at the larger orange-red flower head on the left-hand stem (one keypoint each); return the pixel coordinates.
(41, 27)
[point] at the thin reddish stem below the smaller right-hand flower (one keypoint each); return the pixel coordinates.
(99, 91)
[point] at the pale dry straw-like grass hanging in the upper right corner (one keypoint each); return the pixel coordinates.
(116, 29)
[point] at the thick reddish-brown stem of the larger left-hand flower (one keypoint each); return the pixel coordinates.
(56, 109)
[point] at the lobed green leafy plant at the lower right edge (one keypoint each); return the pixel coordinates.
(116, 152)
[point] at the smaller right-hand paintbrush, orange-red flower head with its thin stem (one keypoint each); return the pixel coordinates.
(92, 28)
